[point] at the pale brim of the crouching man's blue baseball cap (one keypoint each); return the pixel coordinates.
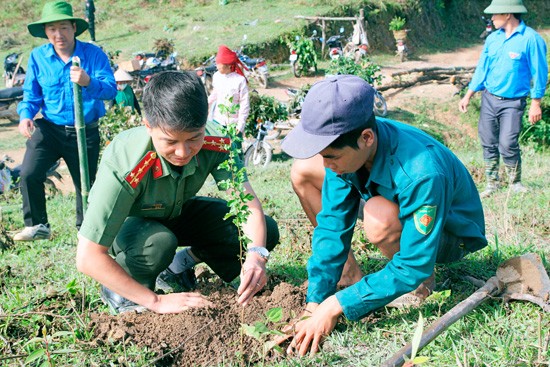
(302, 145)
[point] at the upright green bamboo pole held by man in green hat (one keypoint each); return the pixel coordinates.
(80, 128)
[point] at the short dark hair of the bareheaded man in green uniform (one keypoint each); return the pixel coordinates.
(175, 101)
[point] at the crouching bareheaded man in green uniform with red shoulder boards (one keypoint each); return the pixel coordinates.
(143, 206)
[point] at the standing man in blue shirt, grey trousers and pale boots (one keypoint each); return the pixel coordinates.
(512, 65)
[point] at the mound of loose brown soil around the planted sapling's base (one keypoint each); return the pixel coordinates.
(202, 337)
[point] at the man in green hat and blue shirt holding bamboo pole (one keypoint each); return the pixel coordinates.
(48, 89)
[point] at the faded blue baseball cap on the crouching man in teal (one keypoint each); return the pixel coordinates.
(332, 107)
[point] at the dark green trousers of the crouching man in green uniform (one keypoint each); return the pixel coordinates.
(144, 246)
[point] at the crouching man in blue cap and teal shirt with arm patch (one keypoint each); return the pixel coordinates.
(421, 205)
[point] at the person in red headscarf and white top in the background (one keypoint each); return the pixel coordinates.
(230, 87)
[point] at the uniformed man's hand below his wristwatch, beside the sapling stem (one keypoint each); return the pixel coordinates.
(253, 277)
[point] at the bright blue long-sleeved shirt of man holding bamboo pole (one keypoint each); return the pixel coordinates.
(48, 85)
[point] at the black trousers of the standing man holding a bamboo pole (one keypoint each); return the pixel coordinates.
(48, 143)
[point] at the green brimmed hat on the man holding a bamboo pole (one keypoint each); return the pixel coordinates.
(54, 12)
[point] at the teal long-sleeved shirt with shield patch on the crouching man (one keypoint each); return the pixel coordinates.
(434, 192)
